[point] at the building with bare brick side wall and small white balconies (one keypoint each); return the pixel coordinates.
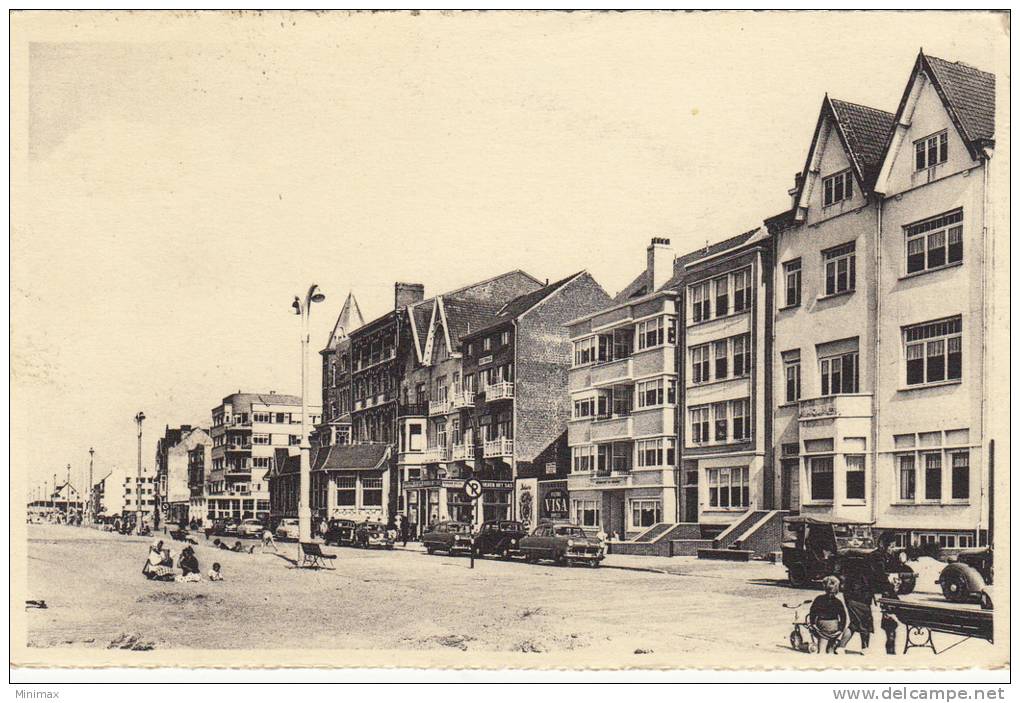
(519, 367)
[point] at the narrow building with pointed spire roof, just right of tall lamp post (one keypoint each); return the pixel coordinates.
(335, 427)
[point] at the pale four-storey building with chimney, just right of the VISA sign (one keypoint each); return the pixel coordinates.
(623, 431)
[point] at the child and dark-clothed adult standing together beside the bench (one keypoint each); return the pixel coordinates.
(836, 620)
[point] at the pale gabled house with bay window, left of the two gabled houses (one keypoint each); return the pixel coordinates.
(826, 331)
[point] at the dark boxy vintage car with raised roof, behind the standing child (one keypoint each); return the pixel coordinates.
(820, 547)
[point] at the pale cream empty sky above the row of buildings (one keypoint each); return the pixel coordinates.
(177, 179)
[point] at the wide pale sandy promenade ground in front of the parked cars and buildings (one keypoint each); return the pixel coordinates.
(399, 599)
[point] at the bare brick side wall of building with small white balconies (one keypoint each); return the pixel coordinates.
(544, 356)
